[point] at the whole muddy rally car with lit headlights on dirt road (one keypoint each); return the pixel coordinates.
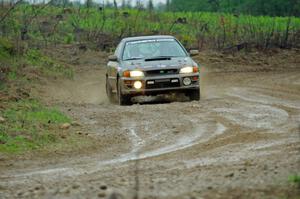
(151, 65)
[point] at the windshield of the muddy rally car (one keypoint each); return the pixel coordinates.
(148, 49)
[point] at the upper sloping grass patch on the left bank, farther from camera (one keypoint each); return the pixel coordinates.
(17, 65)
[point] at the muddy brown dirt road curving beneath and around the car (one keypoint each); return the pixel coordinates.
(240, 141)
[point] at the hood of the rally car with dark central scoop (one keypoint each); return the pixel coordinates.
(174, 63)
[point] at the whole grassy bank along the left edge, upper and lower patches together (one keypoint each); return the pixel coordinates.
(29, 125)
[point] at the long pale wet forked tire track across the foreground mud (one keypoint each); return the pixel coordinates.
(189, 139)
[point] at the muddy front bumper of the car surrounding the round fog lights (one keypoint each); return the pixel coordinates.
(160, 84)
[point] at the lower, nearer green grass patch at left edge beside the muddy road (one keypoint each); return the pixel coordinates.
(28, 126)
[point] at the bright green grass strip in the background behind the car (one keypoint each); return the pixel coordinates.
(218, 28)
